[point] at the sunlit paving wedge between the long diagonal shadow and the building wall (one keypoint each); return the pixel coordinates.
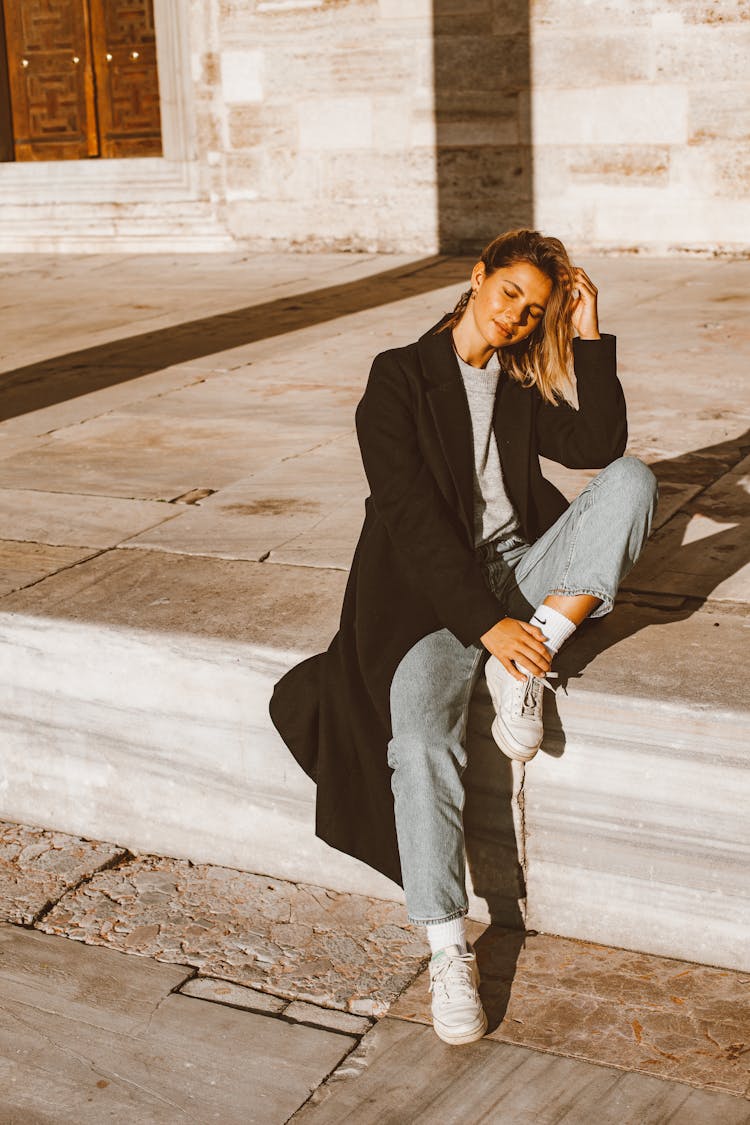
(118, 295)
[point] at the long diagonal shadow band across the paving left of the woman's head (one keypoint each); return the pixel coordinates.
(64, 377)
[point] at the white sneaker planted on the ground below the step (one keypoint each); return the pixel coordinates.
(457, 1012)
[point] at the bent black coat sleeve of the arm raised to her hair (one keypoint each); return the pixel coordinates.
(597, 434)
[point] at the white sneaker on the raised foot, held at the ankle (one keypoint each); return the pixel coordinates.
(518, 727)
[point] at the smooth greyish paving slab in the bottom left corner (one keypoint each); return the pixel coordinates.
(91, 1036)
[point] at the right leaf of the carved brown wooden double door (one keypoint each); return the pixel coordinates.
(125, 62)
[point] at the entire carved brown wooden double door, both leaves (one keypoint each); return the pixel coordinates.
(83, 79)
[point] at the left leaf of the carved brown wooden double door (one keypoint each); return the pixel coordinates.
(51, 78)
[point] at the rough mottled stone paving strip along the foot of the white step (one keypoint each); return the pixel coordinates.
(336, 961)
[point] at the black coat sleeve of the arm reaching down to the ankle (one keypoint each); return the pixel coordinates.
(420, 521)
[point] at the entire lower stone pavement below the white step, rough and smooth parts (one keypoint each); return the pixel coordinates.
(202, 994)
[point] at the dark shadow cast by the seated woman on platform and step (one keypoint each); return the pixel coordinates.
(703, 545)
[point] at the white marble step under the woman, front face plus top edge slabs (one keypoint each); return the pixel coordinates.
(630, 829)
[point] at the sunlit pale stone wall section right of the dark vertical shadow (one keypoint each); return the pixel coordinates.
(641, 123)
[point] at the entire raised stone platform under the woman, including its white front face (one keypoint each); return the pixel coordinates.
(182, 494)
